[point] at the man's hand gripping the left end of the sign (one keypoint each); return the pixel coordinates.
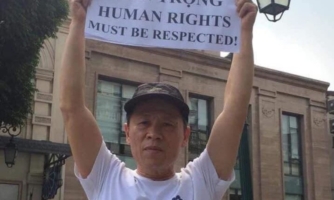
(78, 10)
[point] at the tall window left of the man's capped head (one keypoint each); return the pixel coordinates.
(111, 116)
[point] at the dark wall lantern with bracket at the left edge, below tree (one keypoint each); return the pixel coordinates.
(10, 148)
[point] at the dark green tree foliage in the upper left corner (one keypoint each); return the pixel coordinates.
(24, 26)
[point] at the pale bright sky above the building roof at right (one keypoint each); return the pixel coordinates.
(301, 43)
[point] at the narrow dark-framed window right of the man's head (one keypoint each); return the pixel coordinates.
(199, 121)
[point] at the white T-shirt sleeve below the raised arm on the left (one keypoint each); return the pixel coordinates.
(104, 162)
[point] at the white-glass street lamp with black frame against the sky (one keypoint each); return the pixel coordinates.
(275, 8)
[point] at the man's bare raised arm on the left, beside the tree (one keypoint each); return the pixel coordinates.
(82, 130)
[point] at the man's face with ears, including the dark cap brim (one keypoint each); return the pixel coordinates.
(156, 134)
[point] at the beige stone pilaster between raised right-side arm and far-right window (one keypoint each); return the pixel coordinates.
(269, 146)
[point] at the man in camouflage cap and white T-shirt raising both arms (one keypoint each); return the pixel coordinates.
(156, 129)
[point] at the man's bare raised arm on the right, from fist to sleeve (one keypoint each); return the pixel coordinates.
(225, 137)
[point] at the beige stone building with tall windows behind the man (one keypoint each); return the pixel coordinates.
(285, 151)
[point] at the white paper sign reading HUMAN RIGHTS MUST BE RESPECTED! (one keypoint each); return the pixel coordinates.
(179, 24)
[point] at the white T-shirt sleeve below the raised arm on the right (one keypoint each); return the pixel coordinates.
(205, 175)
